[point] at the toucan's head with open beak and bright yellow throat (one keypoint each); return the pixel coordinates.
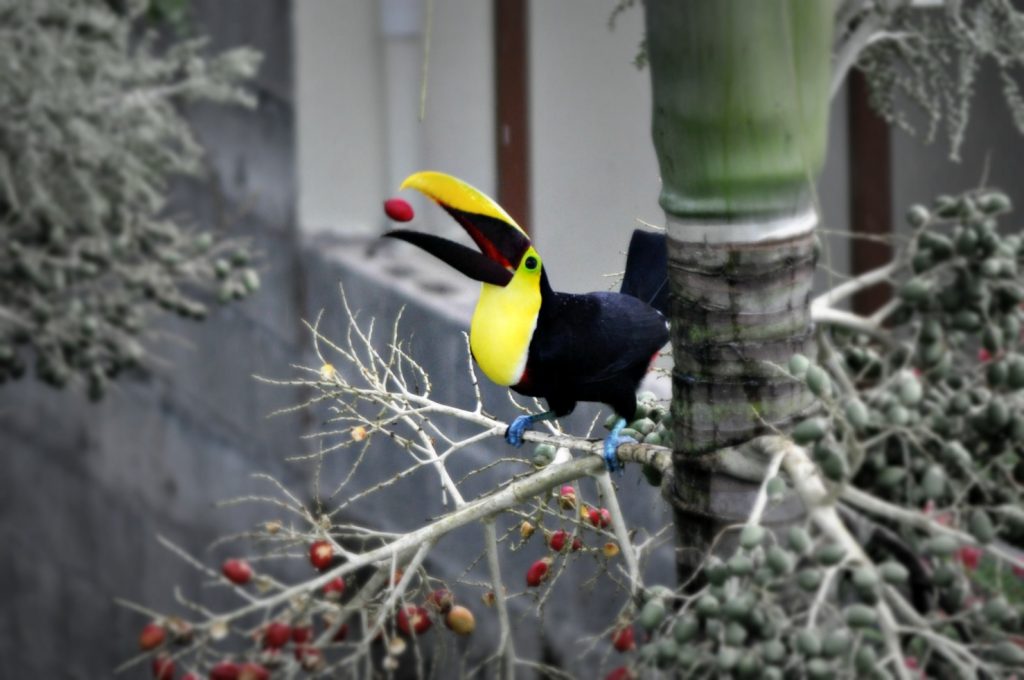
(508, 266)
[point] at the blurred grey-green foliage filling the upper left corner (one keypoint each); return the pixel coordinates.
(91, 139)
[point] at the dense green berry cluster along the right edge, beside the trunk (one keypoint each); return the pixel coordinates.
(945, 413)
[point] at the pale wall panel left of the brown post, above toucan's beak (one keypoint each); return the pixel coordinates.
(359, 96)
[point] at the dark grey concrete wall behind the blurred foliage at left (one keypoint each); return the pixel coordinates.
(87, 489)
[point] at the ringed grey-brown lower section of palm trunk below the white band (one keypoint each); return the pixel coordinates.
(740, 312)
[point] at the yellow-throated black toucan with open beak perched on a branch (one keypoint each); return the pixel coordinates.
(560, 347)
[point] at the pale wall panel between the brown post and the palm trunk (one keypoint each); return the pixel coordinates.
(593, 166)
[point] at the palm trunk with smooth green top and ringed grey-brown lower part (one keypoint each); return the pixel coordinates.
(741, 95)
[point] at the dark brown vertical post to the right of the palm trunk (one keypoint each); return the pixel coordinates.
(871, 192)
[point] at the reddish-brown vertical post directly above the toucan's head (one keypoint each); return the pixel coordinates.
(513, 104)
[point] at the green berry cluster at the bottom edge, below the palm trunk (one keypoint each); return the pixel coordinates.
(756, 617)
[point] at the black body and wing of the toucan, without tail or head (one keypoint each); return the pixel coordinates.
(593, 348)
